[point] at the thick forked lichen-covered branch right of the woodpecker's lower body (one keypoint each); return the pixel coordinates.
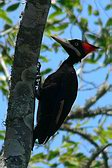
(86, 112)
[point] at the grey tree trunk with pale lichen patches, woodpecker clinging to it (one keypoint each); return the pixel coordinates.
(20, 115)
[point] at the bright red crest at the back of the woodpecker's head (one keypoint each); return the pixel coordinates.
(88, 47)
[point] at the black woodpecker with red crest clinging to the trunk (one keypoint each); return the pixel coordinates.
(59, 91)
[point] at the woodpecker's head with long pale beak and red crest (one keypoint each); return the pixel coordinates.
(75, 48)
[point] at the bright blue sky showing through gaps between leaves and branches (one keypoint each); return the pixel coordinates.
(56, 58)
